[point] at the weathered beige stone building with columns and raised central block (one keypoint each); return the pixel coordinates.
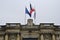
(30, 31)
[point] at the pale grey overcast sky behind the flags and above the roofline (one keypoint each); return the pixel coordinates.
(47, 11)
